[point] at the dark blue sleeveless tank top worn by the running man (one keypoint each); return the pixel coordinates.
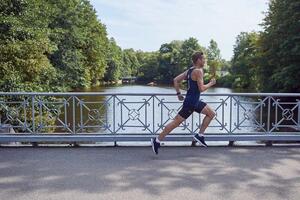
(193, 93)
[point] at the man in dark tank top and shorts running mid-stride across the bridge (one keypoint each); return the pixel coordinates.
(194, 77)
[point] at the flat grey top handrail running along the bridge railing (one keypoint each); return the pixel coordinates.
(142, 94)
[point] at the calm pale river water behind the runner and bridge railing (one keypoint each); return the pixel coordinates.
(147, 114)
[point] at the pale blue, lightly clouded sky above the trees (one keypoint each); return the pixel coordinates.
(147, 24)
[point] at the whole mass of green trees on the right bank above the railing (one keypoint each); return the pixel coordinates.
(269, 61)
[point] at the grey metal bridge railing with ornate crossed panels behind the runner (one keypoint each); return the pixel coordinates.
(137, 117)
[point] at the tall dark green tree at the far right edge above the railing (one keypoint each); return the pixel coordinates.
(279, 63)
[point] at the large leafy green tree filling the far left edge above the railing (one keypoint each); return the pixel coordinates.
(24, 46)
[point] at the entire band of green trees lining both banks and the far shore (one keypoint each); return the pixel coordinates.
(60, 45)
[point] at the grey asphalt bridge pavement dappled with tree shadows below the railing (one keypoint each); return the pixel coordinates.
(135, 173)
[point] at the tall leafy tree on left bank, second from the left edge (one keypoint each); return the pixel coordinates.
(81, 42)
